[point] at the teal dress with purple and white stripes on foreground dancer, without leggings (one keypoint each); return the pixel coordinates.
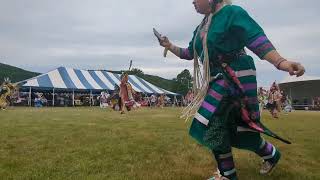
(217, 122)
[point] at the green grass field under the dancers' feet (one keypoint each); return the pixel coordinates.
(91, 143)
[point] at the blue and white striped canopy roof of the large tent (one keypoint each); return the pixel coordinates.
(74, 79)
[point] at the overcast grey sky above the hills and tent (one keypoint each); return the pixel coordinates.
(40, 35)
